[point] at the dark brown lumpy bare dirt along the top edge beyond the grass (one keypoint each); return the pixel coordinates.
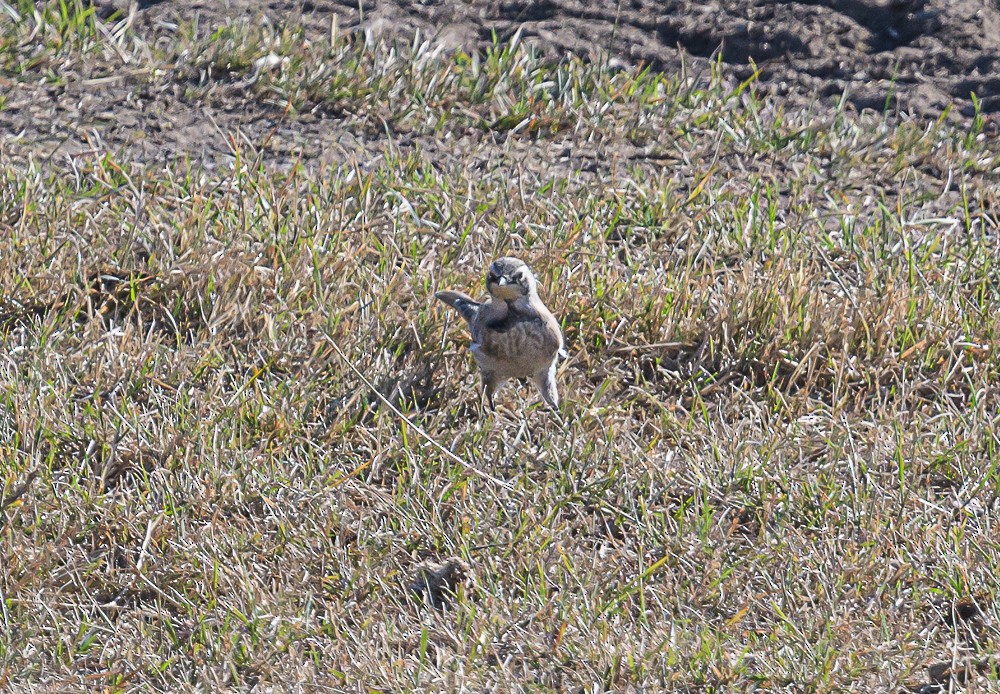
(914, 56)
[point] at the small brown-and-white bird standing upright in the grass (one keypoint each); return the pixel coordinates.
(513, 334)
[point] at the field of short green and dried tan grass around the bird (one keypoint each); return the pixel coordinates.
(236, 430)
